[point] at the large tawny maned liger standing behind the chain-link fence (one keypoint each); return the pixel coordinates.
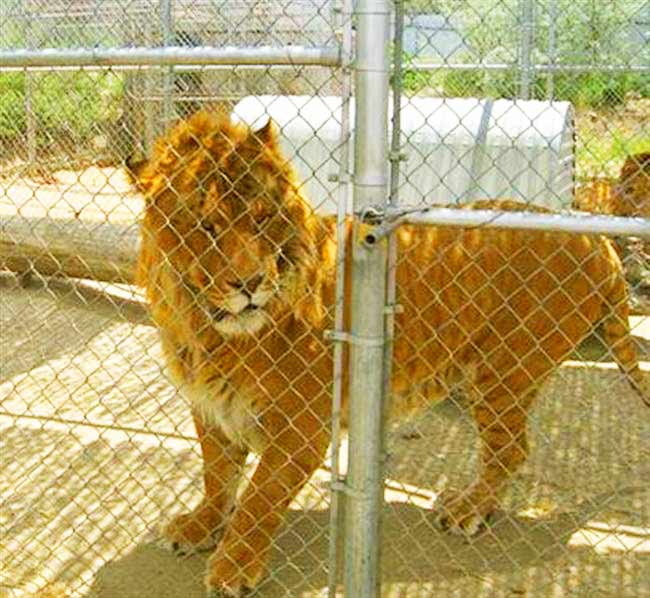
(239, 273)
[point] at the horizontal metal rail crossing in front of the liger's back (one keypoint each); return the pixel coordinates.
(571, 223)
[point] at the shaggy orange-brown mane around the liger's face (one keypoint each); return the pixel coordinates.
(209, 144)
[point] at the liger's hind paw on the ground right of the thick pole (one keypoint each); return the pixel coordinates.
(466, 513)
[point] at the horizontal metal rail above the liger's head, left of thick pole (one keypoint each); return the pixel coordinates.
(172, 55)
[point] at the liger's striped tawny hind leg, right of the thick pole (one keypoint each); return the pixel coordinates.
(501, 420)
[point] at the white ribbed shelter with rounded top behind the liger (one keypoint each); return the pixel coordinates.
(456, 150)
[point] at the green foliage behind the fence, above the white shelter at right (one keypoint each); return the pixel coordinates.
(587, 32)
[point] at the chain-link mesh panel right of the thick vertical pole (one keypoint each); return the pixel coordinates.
(545, 103)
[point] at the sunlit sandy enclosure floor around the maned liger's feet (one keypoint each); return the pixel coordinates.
(97, 450)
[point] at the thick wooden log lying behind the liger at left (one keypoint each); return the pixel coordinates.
(69, 248)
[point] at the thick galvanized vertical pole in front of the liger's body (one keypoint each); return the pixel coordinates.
(366, 442)
